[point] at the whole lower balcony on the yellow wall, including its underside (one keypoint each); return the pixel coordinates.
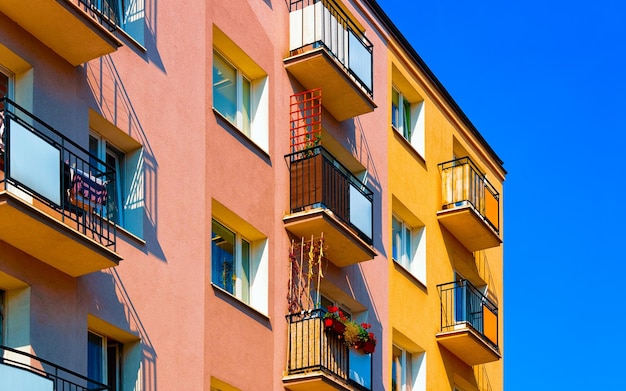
(469, 323)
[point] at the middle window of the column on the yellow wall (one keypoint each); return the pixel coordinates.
(409, 247)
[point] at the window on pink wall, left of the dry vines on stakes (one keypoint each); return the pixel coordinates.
(239, 263)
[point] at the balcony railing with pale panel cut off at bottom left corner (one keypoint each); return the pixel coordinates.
(34, 373)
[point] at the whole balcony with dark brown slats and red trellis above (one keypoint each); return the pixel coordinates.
(326, 198)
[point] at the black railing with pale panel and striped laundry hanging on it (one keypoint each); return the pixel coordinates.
(38, 160)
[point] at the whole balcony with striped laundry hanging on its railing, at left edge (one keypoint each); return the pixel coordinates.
(56, 198)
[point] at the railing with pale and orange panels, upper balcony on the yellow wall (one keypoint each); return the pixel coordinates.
(463, 183)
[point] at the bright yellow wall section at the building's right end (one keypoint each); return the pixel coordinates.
(415, 192)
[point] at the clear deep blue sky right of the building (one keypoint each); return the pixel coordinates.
(545, 84)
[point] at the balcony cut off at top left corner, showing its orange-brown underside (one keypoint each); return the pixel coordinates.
(77, 30)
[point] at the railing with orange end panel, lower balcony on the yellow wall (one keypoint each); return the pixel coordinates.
(463, 306)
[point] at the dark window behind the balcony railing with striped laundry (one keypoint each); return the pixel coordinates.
(113, 157)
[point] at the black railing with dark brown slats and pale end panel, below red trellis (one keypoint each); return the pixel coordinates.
(317, 179)
